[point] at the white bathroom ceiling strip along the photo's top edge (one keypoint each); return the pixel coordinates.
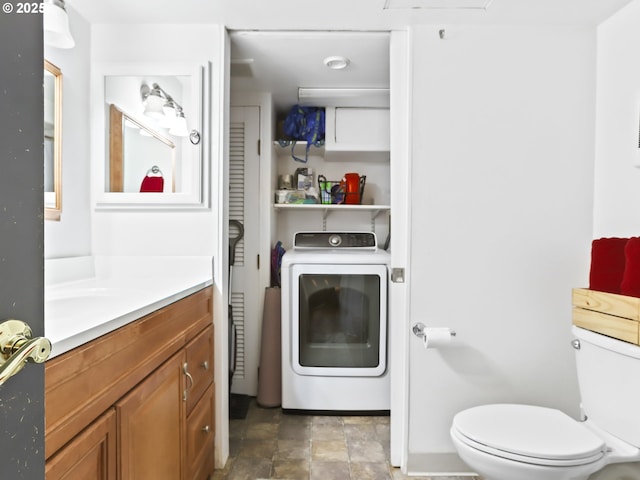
(346, 15)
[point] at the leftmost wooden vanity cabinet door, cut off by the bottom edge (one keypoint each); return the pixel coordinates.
(91, 454)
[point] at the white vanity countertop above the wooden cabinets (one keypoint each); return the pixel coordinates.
(87, 297)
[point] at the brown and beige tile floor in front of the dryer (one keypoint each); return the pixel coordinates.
(271, 445)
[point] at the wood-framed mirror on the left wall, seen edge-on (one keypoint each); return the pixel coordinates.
(52, 141)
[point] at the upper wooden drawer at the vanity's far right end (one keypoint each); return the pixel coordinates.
(200, 366)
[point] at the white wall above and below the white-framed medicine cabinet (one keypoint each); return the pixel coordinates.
(156, 232)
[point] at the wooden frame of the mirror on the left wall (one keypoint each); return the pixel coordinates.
(55, 212)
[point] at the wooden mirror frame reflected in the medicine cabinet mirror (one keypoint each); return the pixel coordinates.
(116, 147)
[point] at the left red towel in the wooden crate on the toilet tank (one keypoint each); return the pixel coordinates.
(607, 264)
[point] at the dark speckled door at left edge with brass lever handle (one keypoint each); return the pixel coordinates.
(21, 234)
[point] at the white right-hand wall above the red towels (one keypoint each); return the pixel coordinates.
(617, 192)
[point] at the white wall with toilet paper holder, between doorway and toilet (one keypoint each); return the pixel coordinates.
(501, 220)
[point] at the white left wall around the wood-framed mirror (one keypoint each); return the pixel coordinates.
(71, 236)
